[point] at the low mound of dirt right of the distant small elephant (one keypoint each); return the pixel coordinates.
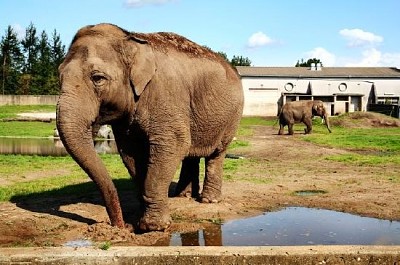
(364, 120)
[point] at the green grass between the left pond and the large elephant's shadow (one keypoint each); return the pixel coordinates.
(60, 172)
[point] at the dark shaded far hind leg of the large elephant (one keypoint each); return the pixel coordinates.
(189, 175)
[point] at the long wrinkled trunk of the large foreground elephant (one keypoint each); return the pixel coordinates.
(74, 123)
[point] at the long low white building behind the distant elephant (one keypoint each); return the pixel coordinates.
(343, 89)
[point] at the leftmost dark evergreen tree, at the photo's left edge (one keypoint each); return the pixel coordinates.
(11, 61)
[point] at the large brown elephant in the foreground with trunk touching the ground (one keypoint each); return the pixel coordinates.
(167, 99)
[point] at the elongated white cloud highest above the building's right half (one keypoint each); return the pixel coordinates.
(358, 37)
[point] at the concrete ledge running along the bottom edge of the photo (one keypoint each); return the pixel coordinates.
(330, 255)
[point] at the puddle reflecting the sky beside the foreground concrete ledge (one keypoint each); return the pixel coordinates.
(295, 226)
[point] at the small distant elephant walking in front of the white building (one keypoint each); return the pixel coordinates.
(302, 111)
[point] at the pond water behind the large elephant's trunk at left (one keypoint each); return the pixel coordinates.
(47, 146)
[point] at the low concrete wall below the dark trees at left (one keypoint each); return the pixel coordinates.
(28, 100)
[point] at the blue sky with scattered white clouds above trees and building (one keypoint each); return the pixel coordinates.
(269, 33)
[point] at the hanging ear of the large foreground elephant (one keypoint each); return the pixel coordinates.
(142, 64)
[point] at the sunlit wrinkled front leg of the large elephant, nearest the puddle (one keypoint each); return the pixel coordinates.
(159, 175)
